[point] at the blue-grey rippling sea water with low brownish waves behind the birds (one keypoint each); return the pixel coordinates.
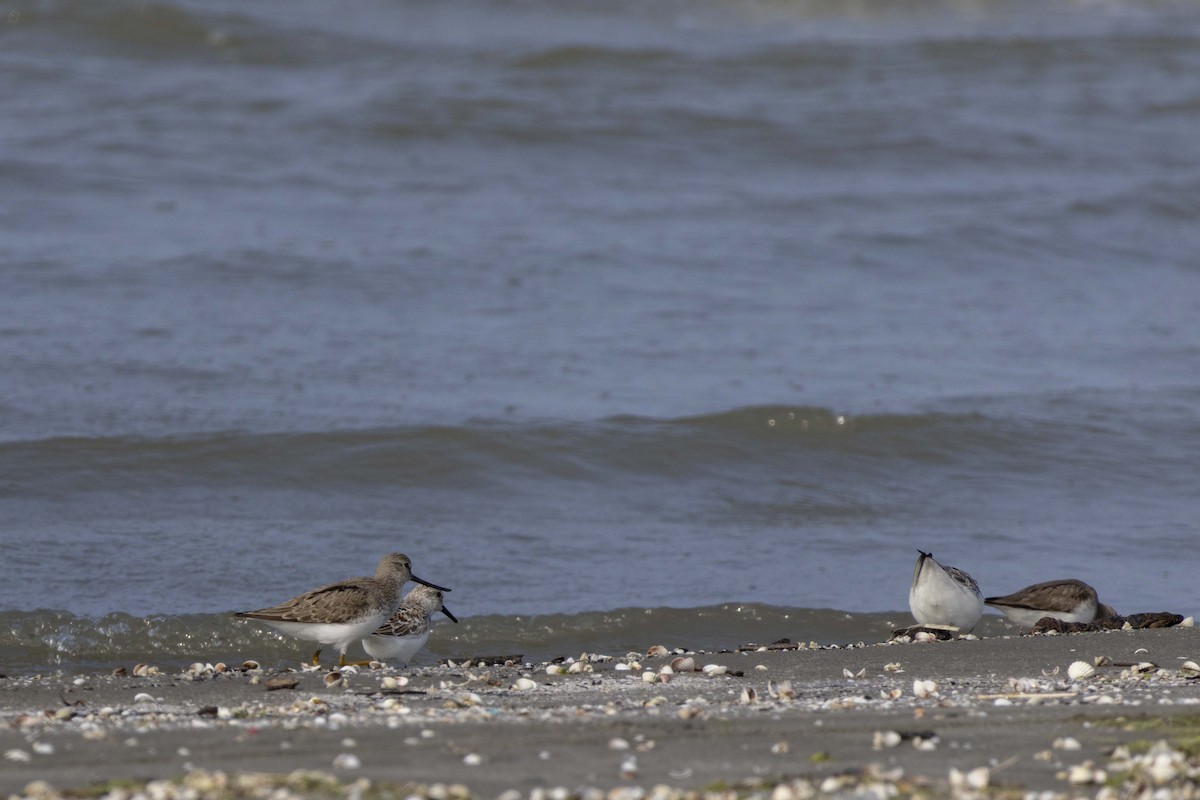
(682, 323)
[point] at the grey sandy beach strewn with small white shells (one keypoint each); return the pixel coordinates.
(1000, 712)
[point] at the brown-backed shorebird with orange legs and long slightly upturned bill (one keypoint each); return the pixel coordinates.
(341, 613)
